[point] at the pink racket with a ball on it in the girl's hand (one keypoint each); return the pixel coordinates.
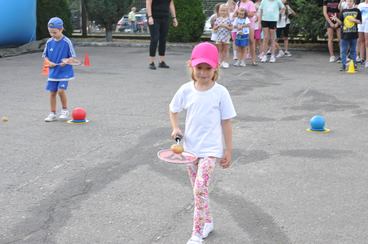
(169, 156)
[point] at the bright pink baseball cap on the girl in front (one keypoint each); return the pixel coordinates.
(205, 52)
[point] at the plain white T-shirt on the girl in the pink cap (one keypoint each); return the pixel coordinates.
(205, 110)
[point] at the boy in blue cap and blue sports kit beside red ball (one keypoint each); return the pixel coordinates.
(58, 52)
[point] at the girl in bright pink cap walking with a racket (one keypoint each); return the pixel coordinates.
(208, 129)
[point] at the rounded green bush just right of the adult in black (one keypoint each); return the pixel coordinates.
(191, 18)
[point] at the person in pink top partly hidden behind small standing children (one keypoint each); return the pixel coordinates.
(249, 6)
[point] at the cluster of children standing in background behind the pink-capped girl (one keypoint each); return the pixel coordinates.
(251, 28)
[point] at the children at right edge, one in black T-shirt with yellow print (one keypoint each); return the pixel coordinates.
(349, 19)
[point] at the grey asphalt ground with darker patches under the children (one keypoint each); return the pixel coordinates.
(101, 182)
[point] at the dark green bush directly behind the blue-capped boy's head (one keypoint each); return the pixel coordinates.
(47, 9)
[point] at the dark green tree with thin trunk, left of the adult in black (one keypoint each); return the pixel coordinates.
(107, 12)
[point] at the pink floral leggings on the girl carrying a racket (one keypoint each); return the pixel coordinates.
(200, 175)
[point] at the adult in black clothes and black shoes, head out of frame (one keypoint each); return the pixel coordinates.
(158, 13)
